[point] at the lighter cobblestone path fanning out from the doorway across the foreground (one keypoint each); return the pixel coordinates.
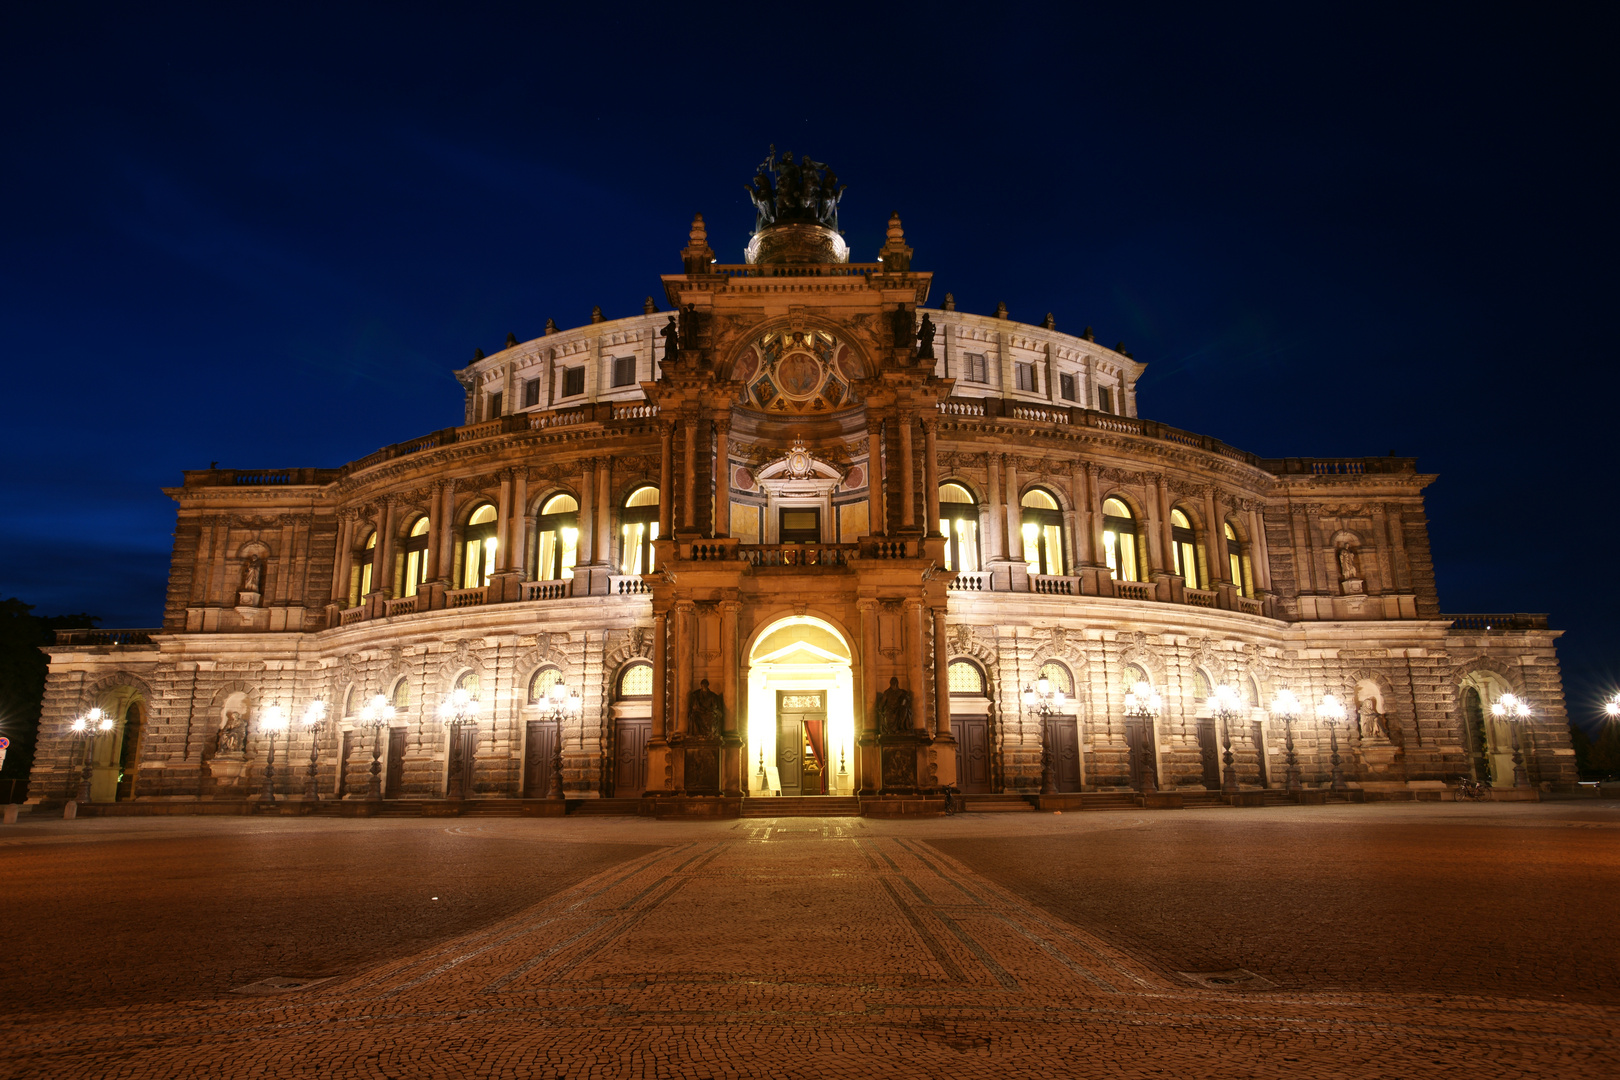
(817, 948)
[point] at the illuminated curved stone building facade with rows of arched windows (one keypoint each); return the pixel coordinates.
(798, 423)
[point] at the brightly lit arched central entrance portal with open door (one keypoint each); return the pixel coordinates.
(801, 710)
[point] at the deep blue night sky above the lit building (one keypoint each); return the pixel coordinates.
(265, 236)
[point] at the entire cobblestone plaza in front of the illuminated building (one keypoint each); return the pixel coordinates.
(1389, 940)
